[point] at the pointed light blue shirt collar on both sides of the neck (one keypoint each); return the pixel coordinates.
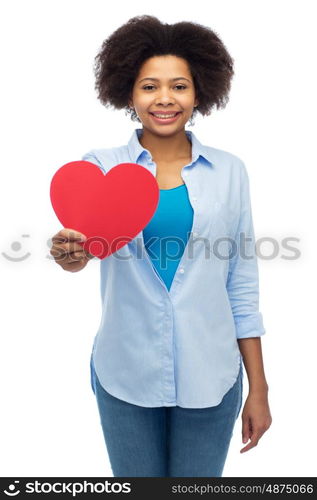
(136, 149)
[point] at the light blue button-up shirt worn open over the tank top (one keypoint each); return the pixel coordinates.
(158, 347)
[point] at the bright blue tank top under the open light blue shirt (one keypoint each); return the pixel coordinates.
(167, 233)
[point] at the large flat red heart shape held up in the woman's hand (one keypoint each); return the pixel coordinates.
(109, 209)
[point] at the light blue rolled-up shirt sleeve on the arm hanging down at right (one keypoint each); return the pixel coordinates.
(243, 280)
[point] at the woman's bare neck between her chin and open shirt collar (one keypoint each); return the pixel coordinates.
(166, 149)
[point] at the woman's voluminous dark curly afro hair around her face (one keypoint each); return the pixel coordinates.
(121, 56)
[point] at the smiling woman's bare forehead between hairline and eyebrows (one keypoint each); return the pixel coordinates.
(160, 66)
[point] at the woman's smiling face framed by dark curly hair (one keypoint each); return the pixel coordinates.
(164, 85)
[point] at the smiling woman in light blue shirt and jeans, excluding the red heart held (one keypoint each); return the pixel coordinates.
(180, 301)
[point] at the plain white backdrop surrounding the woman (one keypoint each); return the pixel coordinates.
(50, 115)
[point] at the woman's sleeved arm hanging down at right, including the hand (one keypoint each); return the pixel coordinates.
(243, 293)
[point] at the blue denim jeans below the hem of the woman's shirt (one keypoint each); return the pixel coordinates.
(167, 441)
